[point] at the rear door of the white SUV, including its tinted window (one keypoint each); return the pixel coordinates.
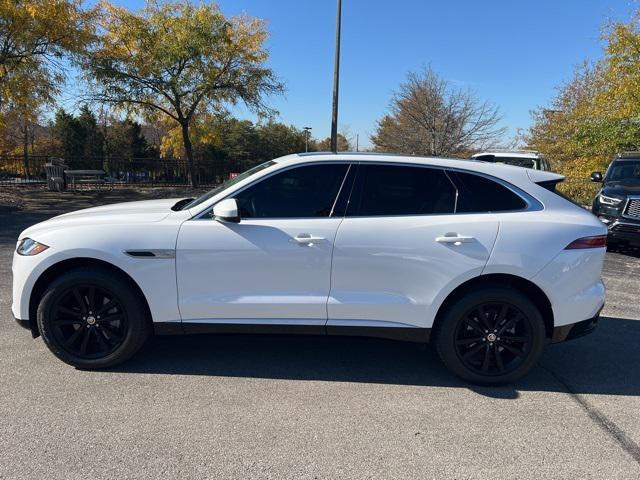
(401, 247)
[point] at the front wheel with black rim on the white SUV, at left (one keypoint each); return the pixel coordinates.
(91, 318)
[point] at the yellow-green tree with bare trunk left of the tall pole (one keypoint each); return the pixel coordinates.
(182, 60)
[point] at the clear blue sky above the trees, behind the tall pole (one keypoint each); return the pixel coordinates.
(513, 53)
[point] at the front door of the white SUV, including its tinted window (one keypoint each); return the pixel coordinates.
(273, 267)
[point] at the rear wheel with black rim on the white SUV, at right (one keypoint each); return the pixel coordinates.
(479, 336)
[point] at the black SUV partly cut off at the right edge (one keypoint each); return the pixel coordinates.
(617, 203)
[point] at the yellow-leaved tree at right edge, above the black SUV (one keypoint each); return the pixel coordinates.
(596, 114)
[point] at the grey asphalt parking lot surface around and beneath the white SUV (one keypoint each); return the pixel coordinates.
(326, 408)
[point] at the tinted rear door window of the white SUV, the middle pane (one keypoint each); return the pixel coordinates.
(401, 190)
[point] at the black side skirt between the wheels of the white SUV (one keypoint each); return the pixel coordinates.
(416, 335)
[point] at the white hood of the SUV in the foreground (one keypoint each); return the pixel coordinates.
(146, 211)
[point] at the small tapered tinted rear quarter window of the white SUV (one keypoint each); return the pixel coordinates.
(477, 194)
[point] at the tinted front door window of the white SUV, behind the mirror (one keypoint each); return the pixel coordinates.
(300, 192)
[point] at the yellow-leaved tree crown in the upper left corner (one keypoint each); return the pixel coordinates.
(35, 36)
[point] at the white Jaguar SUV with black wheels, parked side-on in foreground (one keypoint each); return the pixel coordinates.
(485, 260)
